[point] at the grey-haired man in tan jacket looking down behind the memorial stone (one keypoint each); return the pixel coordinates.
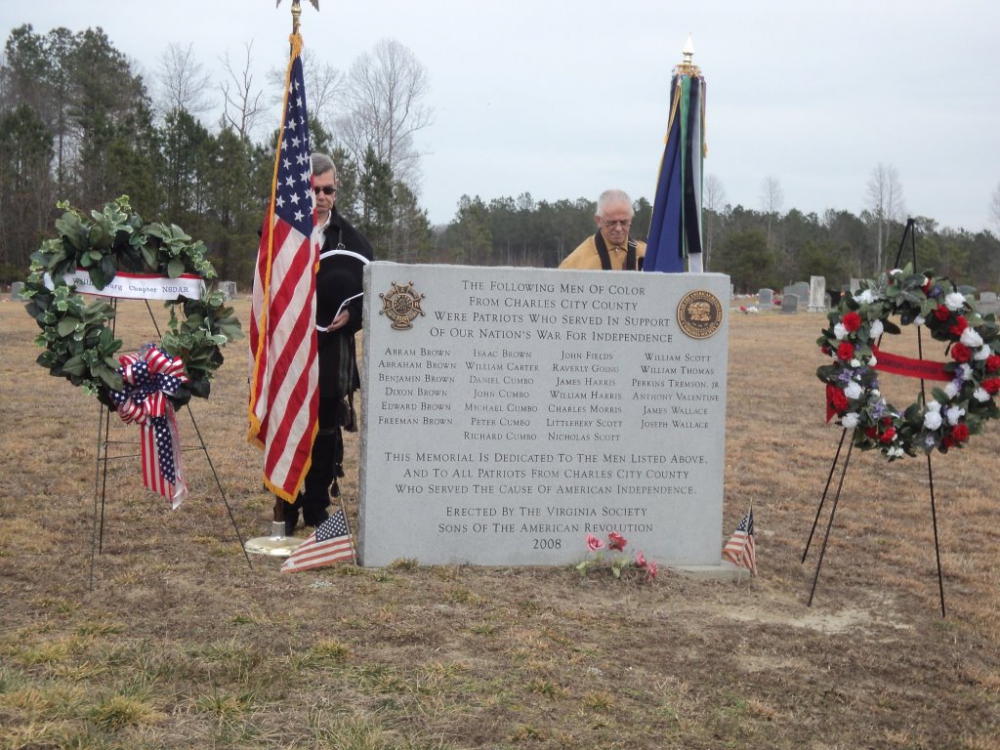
(610, 247)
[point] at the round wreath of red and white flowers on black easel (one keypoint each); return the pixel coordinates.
(954, 411)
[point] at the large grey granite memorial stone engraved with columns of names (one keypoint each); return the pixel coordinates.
(509, 412)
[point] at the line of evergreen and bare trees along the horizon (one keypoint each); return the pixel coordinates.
(78, 123)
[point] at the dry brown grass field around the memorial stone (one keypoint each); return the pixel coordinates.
(181, 645)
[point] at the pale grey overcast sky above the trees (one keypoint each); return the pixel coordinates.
(563, 98)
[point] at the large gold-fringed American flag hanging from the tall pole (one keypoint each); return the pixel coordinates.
(284, 385)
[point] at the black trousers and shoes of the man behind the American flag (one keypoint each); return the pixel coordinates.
(325, 467)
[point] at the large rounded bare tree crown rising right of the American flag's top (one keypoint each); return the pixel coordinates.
(385, 90)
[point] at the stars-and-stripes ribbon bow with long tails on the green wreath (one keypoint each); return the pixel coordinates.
(150, 376)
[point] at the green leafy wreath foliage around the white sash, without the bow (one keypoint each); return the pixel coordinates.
(79, 345)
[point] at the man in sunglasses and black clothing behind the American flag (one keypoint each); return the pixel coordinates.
(344, 252)
